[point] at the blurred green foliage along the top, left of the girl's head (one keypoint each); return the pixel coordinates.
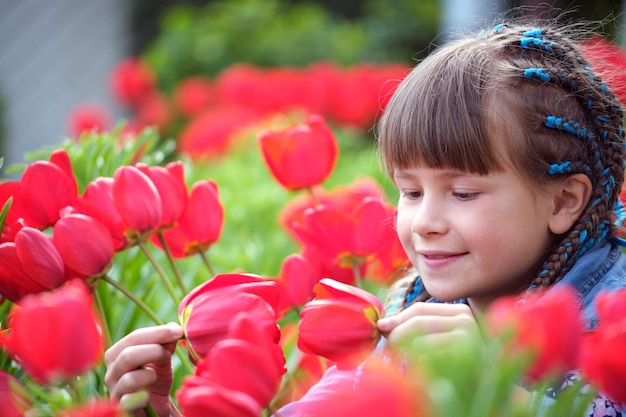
(206, 39)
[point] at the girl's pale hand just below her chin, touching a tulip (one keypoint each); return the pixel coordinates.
(434, 323)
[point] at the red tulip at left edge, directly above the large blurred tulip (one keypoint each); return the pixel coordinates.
(29, 265)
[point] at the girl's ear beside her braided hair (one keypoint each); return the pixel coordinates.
(570, 199)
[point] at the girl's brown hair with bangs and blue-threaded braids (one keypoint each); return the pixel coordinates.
(517, 94)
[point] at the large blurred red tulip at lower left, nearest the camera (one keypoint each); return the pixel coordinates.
(56, 335)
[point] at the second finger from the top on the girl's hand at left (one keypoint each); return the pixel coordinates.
(132, 358)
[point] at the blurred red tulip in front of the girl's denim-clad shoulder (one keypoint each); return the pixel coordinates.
(549, 328)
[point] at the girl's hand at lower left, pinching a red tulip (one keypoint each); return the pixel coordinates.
(142, 361)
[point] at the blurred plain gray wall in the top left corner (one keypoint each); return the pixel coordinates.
(54, 55)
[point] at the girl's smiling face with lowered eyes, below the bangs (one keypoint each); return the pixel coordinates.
(472, 236)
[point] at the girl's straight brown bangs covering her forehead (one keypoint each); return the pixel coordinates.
(435, 121)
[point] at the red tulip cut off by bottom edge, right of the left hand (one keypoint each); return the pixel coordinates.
(201, 397)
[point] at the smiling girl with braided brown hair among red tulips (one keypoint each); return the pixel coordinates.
(508, 152)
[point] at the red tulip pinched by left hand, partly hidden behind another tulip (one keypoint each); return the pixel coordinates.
(206, 312)
